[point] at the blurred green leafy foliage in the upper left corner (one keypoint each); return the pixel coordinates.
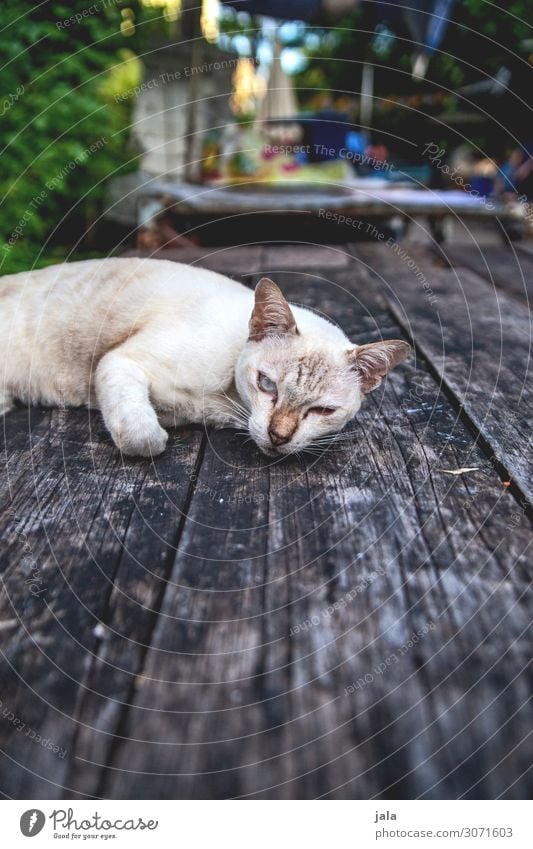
(62, 132)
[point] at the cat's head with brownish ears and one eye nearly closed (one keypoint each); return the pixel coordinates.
(300, 384)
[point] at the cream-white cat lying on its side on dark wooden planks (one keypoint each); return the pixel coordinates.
(153, 343)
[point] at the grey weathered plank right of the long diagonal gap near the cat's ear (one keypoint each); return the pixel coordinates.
(478, 341)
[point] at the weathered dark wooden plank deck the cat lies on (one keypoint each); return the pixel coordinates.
(355, 625)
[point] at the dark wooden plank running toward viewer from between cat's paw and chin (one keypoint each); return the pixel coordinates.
(198, 692)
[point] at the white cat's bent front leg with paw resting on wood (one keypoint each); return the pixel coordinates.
(123, 393)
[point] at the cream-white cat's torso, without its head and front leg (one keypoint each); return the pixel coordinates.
(61, 321)
